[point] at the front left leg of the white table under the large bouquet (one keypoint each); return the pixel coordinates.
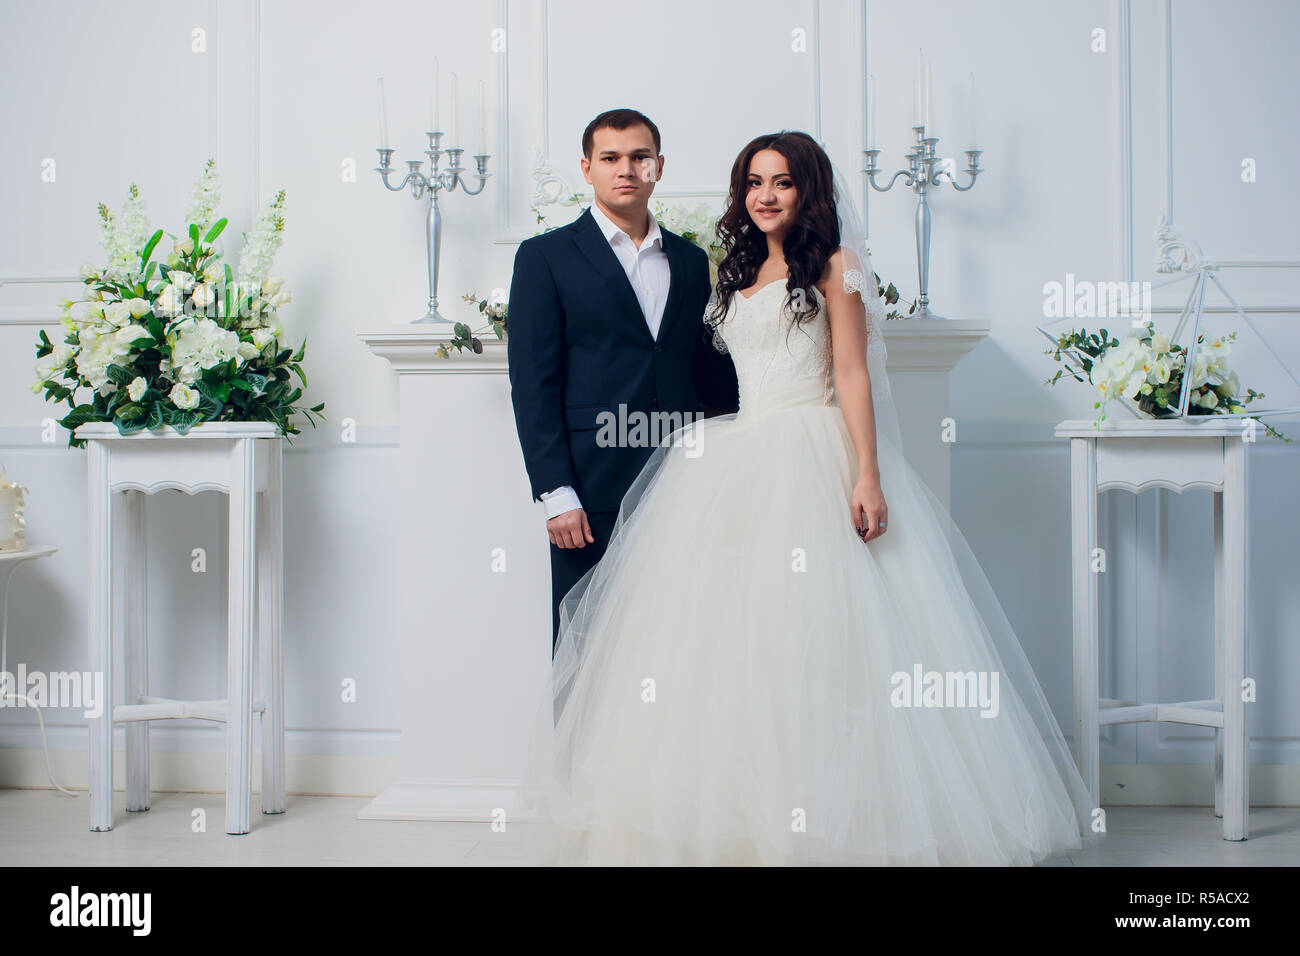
(99, 521)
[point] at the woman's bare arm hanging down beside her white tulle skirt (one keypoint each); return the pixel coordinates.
(848, 318)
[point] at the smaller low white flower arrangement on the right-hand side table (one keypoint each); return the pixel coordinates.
(1146, 373)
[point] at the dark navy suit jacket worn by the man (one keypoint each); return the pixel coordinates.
(578, 345)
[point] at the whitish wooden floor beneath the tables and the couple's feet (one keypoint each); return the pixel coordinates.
(44, 828)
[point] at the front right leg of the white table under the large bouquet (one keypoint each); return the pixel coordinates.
(240, 635)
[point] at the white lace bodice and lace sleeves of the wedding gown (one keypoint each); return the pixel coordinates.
(775, 358)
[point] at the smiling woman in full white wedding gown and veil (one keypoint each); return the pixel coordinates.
(788, 654)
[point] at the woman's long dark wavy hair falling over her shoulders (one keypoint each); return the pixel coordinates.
(812, 241)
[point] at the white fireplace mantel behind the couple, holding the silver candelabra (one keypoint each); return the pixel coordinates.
(475, 565)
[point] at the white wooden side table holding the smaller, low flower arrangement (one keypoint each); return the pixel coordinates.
(1208, 453)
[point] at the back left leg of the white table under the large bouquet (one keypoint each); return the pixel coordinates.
(136, 651)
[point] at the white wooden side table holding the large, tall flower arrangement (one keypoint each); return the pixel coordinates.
(242, 460)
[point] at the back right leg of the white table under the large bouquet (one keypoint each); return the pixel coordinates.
(271, 577)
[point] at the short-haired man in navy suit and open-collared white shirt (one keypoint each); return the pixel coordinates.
(606, 312)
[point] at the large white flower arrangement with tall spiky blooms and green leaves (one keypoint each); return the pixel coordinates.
(194, 345)
